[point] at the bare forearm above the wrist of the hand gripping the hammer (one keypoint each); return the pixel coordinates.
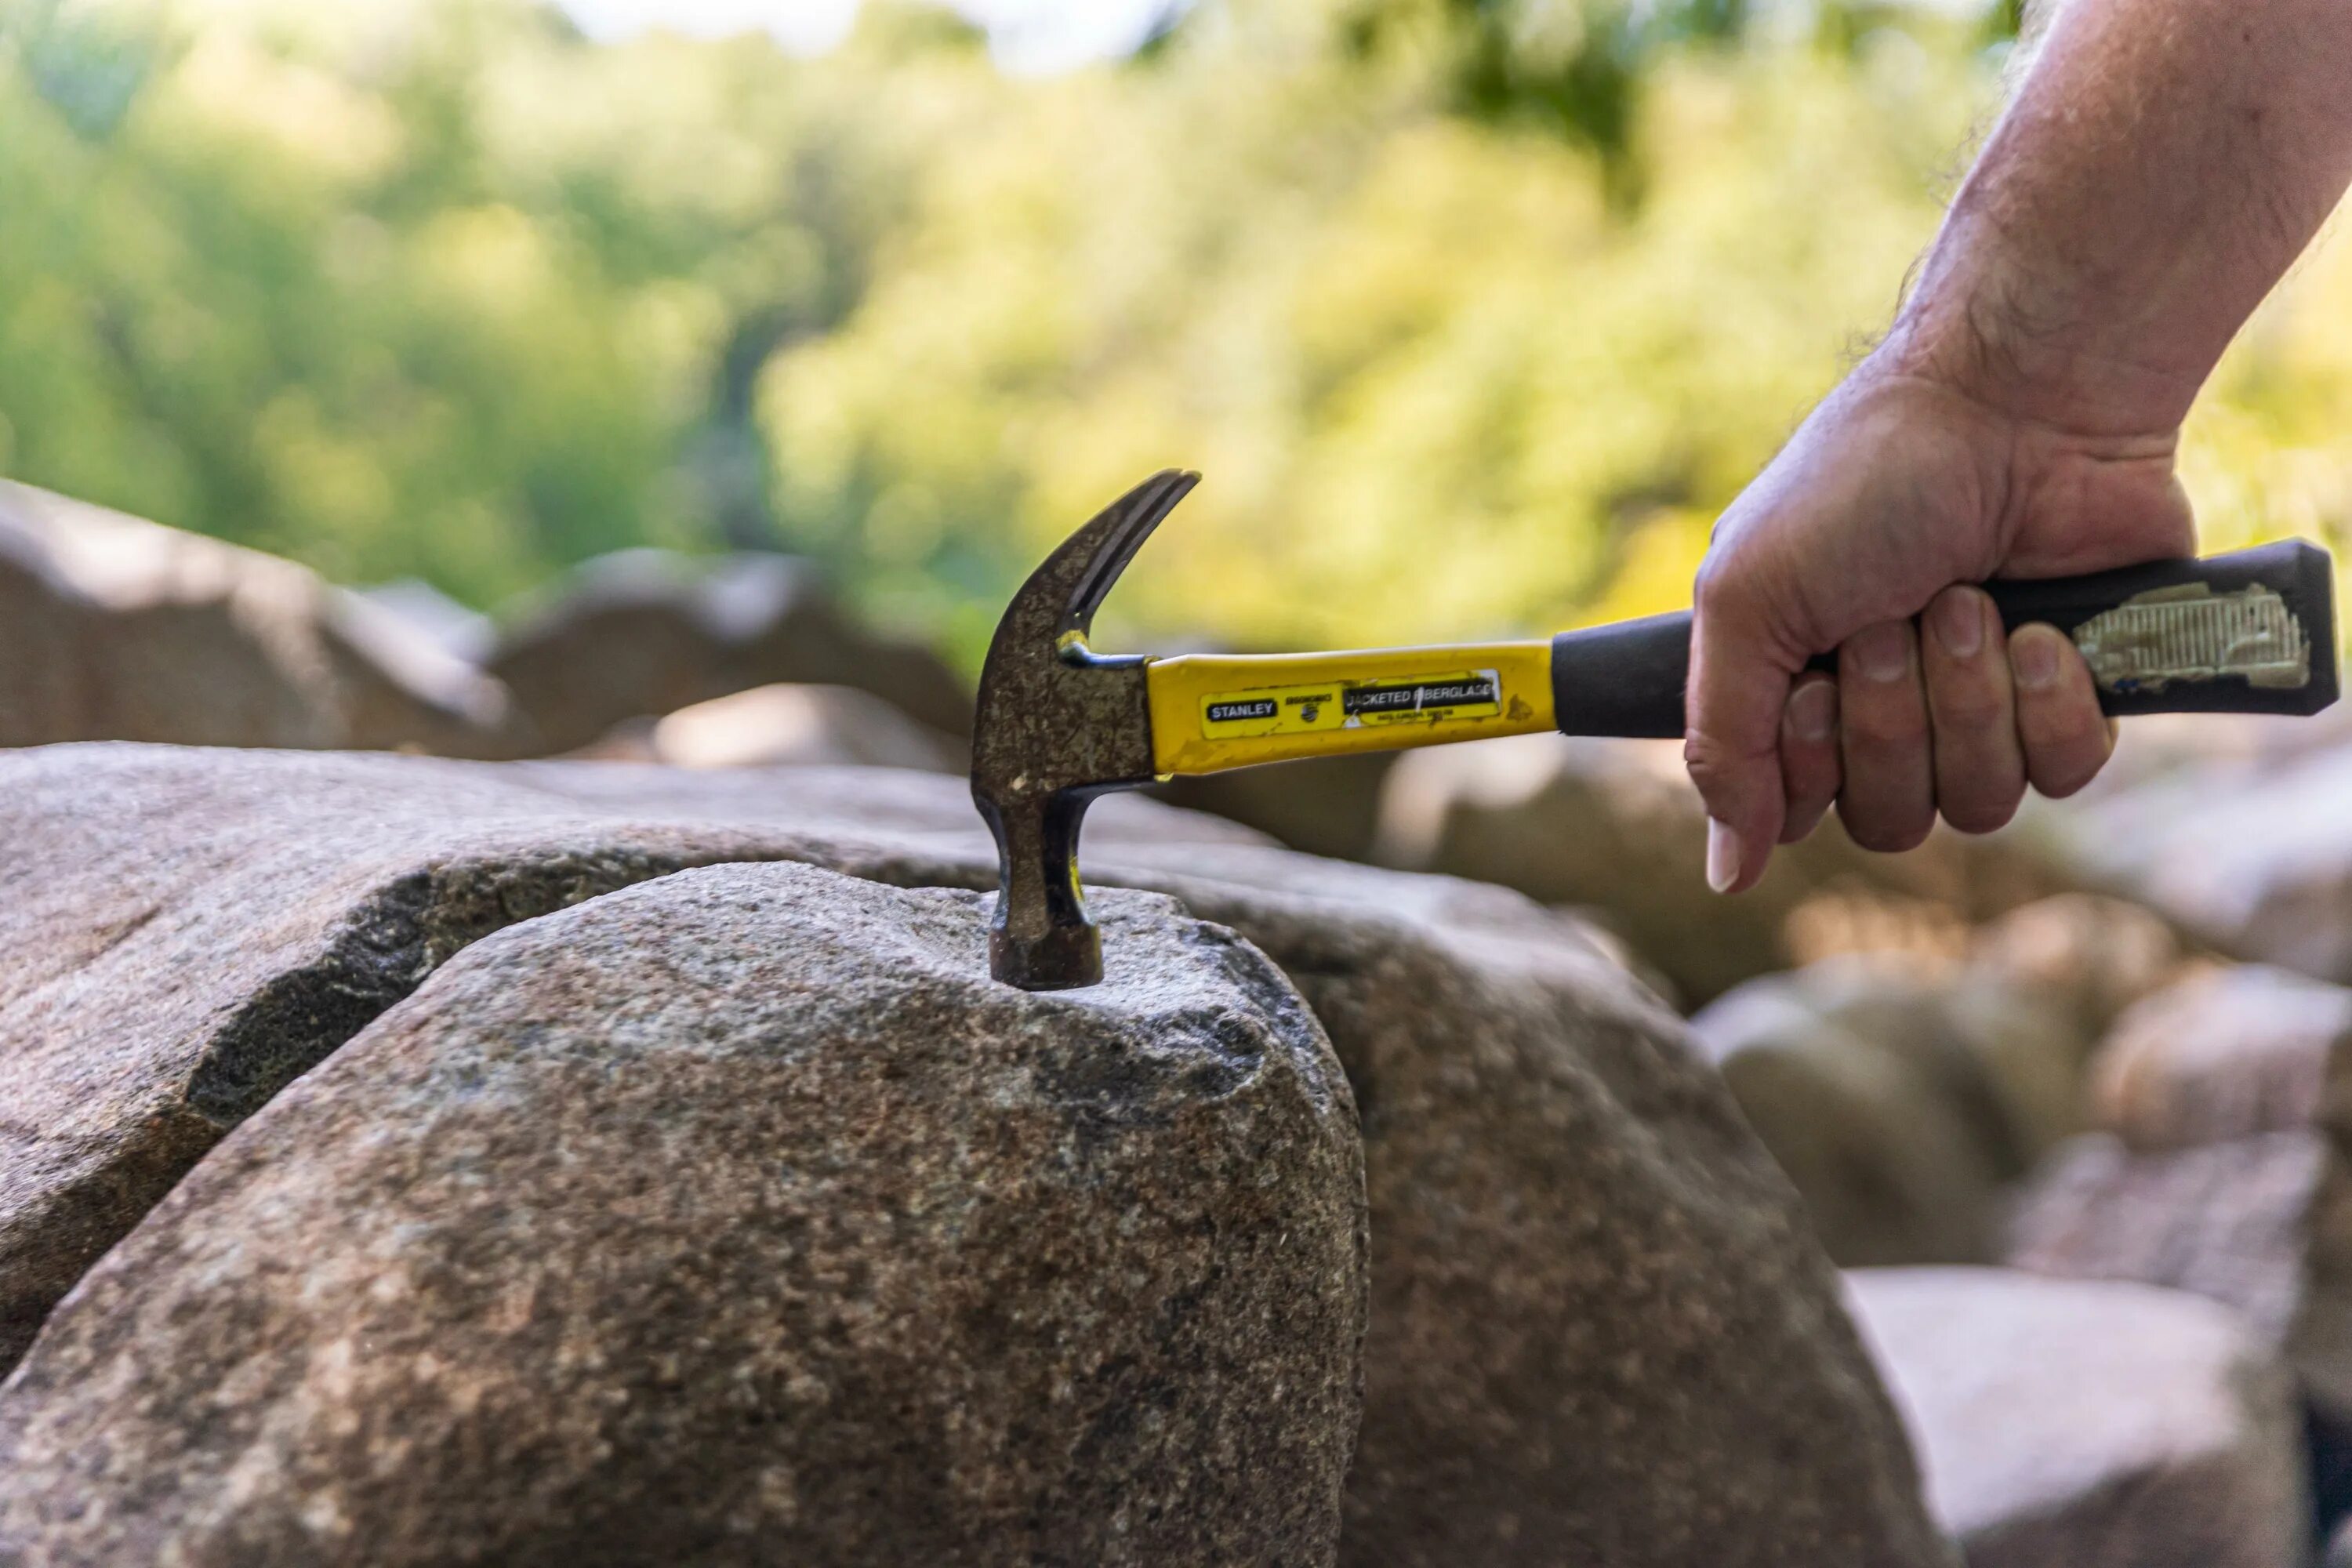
(2163, 166)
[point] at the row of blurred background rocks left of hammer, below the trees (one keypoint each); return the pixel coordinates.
(119, 629)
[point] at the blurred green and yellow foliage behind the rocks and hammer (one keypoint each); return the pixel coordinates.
(1474, 311)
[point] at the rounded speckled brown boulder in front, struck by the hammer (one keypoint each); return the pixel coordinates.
(740, 1219)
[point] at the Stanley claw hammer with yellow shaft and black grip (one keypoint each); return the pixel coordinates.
(1060, 723)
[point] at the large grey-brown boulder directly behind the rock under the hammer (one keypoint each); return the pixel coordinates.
(1601, 1327)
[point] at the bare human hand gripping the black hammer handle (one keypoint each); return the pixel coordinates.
(1895, 500)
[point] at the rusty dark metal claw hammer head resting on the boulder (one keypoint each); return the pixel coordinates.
(1060, 725)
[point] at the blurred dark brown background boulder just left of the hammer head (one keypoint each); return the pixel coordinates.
(643, 634)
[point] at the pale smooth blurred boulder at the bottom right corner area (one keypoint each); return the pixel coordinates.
(2090, 1426)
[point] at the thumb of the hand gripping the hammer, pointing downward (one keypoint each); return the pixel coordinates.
(1732, 737)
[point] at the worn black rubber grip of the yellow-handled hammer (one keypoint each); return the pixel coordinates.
(2170, 652)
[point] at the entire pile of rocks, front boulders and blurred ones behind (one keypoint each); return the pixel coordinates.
(627, 1158)
